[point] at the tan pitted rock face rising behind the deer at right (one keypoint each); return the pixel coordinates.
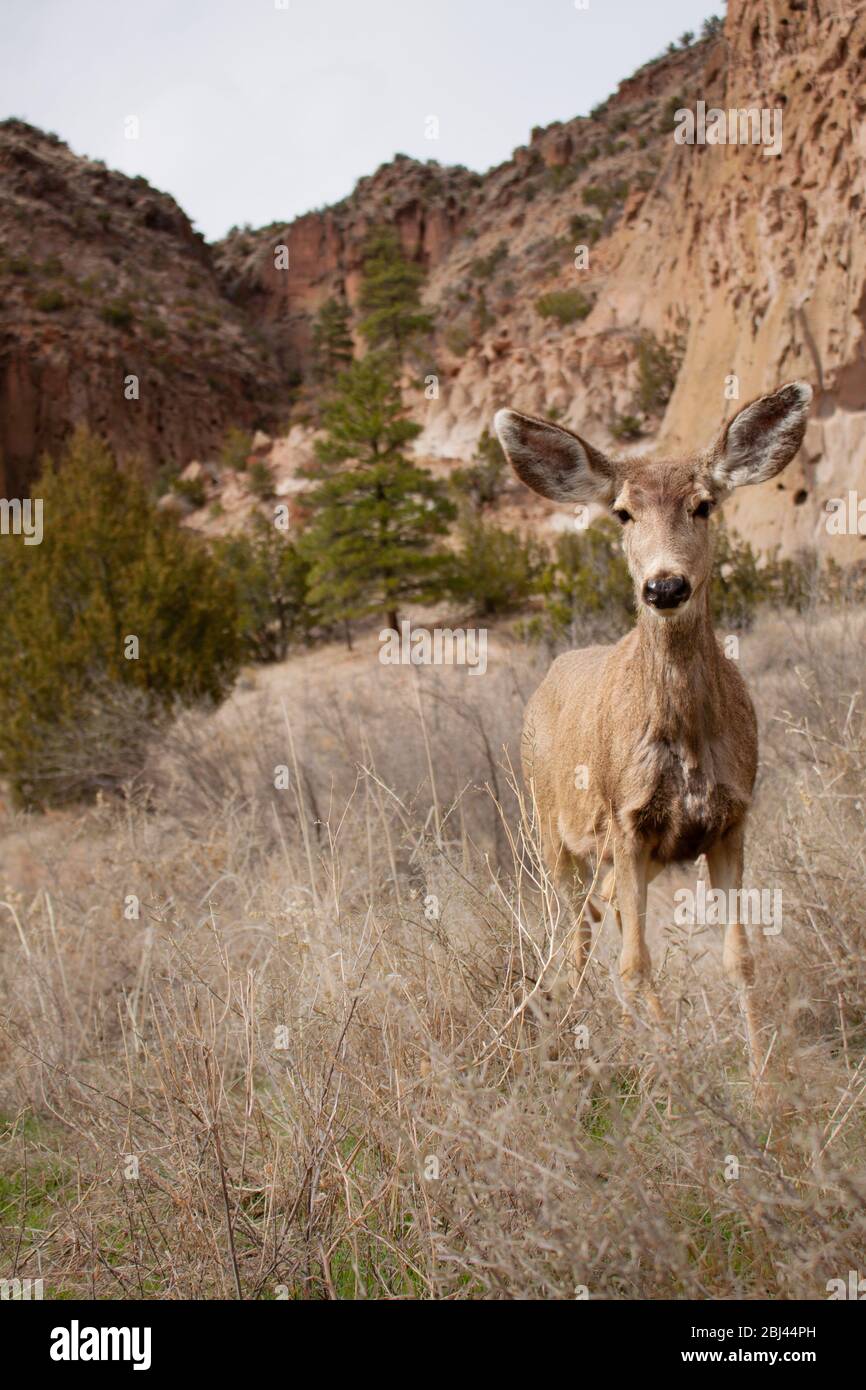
(755, 263)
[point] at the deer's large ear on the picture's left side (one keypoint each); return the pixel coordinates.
(554, 462)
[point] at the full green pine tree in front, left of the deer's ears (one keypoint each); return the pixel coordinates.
(375, 516)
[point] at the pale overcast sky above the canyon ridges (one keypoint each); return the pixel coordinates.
(254, 113)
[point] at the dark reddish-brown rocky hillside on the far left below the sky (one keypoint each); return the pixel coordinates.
(104, 280)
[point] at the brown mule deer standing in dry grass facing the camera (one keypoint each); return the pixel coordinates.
(644, 754)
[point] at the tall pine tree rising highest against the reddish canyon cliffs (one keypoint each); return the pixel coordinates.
(391, 294)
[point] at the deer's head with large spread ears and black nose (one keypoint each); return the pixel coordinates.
(664, 508)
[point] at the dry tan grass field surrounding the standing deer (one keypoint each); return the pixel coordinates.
(338, 1042)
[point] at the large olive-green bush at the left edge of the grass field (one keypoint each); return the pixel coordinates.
(111, 568)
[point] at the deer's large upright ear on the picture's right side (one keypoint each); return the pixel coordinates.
(764, 437)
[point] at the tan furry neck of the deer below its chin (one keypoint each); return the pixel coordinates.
(680, 675)
